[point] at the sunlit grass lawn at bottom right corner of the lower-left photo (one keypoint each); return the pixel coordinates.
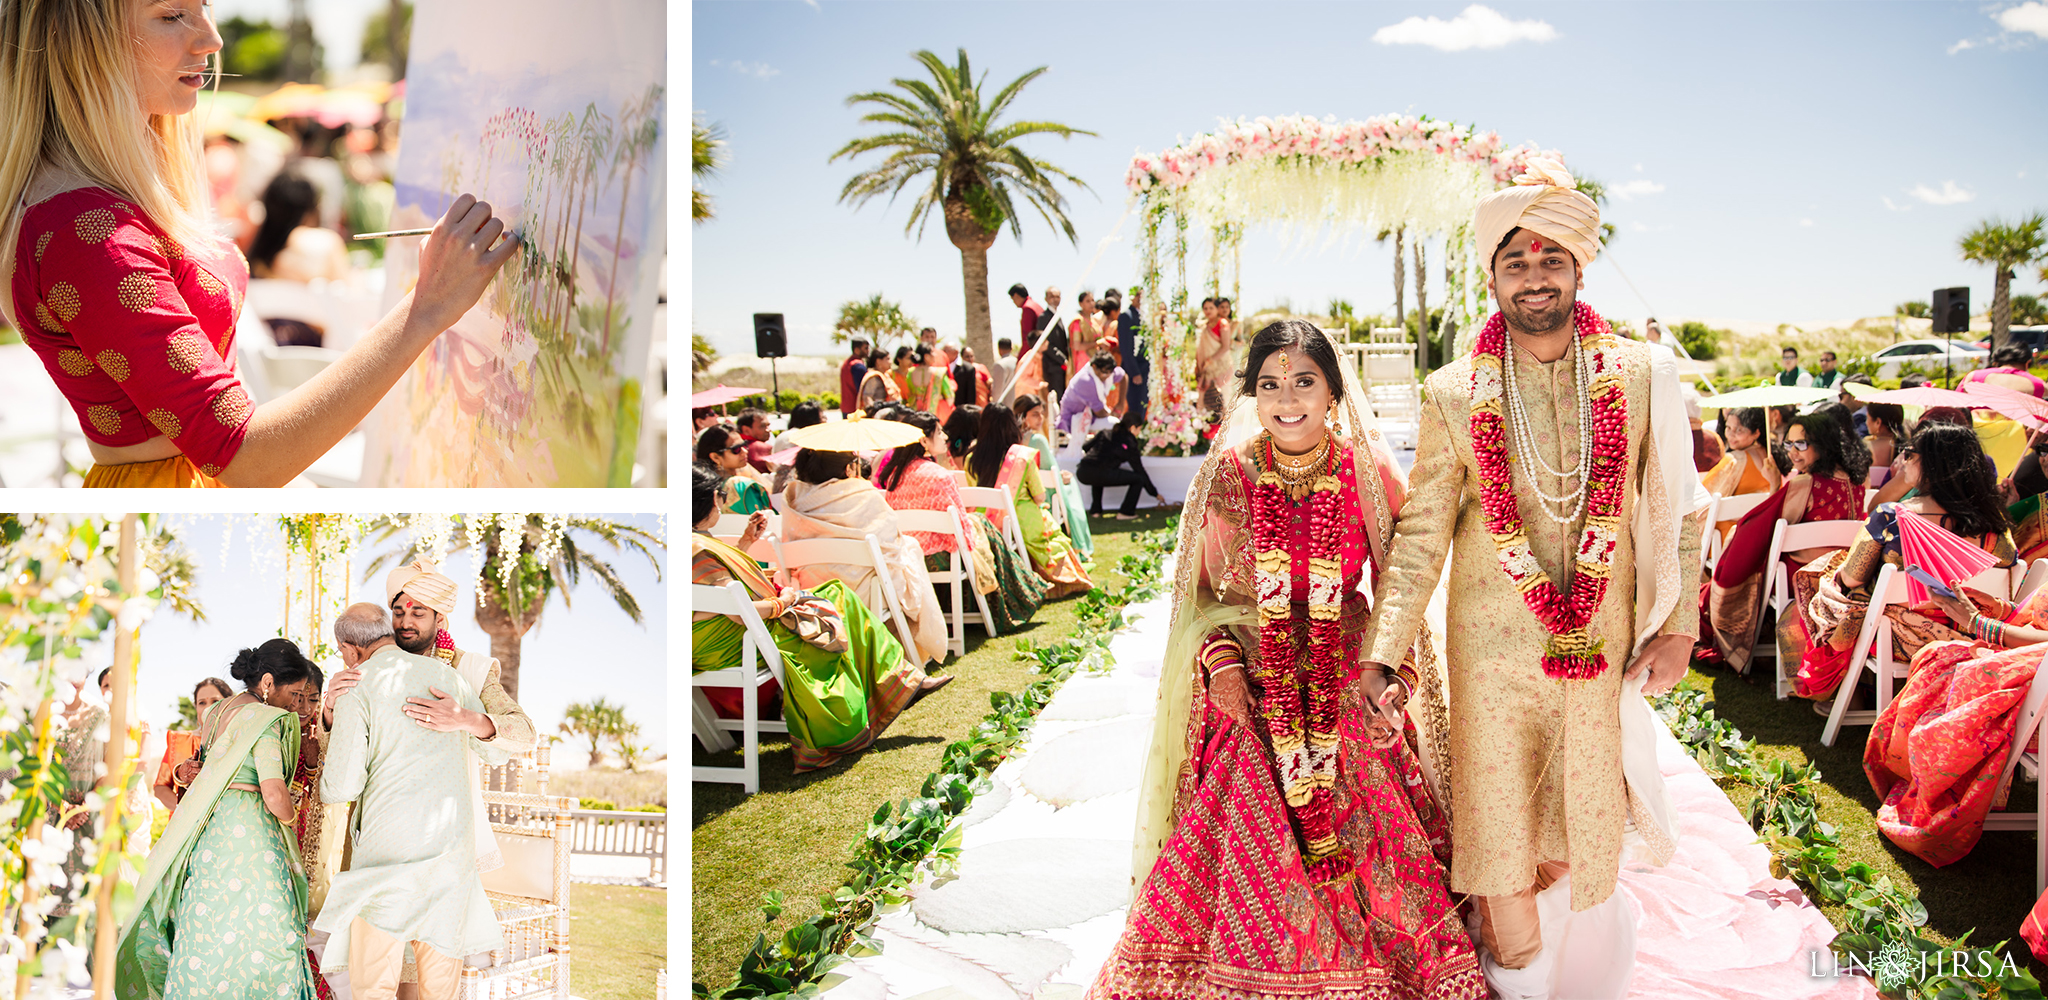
(617, 942)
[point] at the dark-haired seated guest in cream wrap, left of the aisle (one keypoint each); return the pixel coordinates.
(833, 501)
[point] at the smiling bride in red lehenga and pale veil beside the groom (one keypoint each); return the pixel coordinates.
(1291, 843)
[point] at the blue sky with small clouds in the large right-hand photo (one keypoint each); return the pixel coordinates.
(1783, 163)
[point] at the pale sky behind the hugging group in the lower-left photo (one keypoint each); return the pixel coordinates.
(572, 655)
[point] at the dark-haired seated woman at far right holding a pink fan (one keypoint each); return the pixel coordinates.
(1949, 483)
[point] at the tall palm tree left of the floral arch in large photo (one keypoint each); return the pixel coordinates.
(968, 165)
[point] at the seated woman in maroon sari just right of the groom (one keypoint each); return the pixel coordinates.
(1824, 487)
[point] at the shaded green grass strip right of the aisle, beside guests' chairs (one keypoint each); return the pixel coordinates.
(1990, 890)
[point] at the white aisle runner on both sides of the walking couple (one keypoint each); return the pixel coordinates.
(1046, 872)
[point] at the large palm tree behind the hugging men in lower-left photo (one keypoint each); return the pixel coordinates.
(550, 560)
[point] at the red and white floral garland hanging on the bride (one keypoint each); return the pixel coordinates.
(1304, 726)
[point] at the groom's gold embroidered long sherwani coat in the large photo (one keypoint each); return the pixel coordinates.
(1537, 763)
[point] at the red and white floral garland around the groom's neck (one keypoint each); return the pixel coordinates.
(1572, 651)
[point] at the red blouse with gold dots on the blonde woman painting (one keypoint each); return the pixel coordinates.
(138, 331)
